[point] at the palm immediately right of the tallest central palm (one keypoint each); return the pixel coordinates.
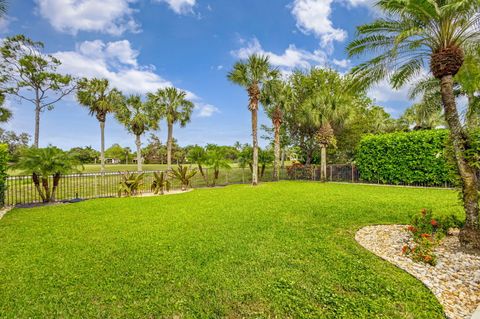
(276, 97)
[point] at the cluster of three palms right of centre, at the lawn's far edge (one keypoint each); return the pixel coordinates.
(310, 101)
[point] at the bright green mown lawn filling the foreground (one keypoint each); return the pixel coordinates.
(281, 250)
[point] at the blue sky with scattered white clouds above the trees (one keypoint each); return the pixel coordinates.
(142, 45)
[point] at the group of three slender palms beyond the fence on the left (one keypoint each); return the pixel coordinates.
(136, 115)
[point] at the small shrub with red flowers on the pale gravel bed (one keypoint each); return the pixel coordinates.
(427, 232)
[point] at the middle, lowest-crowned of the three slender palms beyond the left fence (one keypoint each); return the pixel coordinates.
(138, 117)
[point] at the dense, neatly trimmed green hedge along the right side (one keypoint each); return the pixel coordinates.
(417, 157)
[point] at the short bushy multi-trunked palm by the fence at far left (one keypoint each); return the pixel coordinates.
(42, 163)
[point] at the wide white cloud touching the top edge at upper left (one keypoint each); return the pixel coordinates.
(106, 16)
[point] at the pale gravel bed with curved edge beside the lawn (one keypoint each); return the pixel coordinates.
(455, 280)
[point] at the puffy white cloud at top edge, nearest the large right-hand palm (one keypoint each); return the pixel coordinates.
(313, 16)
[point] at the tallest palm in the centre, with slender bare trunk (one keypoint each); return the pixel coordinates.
(252, 74)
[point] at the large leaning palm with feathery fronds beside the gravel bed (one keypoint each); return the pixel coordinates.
(412, 34)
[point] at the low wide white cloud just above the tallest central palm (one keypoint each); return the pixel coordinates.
(291, 58)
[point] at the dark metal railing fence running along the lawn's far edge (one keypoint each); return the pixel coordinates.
(21, 189)
